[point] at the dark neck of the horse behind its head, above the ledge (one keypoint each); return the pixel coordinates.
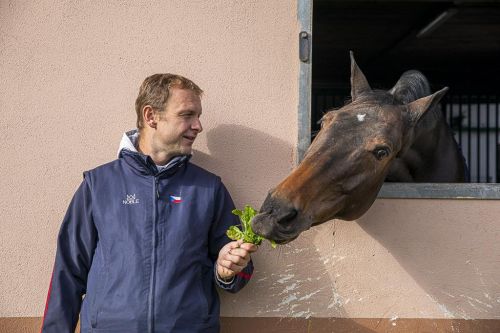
(434, 155)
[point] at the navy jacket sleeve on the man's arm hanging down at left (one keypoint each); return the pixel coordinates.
(75, 248)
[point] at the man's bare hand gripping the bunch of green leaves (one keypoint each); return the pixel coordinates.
(233, 257)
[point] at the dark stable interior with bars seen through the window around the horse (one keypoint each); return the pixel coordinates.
(454, 43)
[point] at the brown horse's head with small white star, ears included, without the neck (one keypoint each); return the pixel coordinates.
(346, 164)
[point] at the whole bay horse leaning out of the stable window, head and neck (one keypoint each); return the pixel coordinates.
(395, 135)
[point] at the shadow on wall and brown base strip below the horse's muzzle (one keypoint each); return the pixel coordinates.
(293, 289)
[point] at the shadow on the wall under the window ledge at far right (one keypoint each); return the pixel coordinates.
(454, 256)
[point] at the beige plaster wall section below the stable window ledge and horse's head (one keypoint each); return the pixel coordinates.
(403, 259)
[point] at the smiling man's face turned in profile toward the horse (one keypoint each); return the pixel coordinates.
(179, 124)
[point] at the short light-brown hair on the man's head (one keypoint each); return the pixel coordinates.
(155, 91)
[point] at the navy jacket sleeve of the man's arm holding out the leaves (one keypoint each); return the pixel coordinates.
(223, 219)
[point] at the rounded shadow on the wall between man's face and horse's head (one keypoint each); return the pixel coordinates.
(249, 161)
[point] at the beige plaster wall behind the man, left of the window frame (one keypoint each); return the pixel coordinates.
(70, 73)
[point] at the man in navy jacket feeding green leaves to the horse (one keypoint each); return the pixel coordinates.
(143, 241)
